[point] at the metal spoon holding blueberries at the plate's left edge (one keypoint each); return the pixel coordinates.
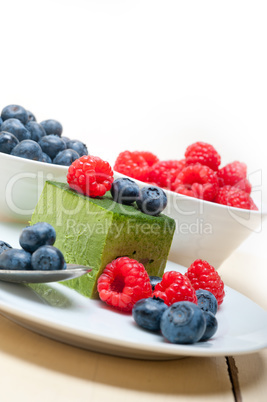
(72, 271)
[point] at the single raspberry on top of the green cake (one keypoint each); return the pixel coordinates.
(90, 176)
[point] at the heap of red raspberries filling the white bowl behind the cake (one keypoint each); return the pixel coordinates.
(197, 175)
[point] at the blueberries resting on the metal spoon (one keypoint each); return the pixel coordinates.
(37, 252)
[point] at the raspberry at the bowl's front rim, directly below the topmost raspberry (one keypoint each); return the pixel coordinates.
(197, 181)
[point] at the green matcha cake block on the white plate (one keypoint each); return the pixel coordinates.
(95, 231)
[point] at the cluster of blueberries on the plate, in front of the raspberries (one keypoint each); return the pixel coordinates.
(182, 322)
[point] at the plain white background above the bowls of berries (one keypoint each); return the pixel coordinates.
(143, 75)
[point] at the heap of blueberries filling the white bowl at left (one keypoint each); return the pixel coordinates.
(22, 136)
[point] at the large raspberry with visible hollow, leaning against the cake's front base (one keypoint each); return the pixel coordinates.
(123, 282)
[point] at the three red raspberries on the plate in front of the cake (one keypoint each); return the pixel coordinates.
(125, 280)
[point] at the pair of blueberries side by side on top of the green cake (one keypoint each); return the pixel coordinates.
(150, 199)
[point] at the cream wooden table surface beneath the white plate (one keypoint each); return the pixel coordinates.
(34, 368)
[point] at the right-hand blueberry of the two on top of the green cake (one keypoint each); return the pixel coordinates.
(152, 200)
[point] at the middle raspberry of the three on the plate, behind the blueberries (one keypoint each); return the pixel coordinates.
(175, 287)
